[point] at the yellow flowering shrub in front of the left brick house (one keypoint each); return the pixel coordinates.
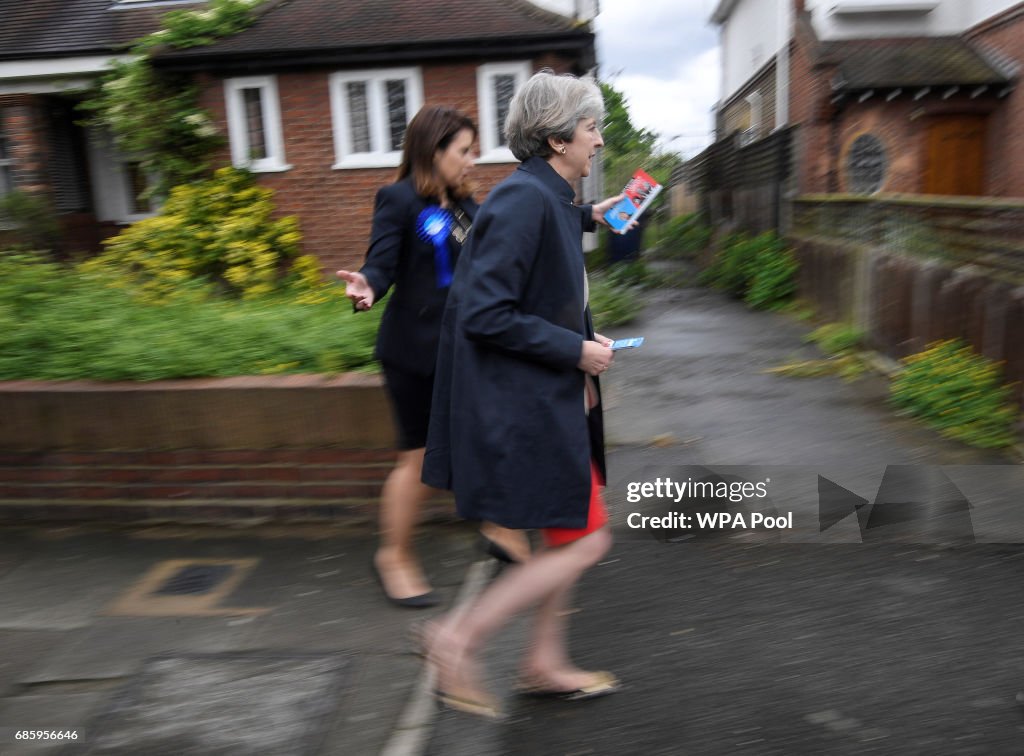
(217, 235)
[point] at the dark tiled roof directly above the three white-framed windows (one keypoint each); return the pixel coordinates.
(295, 27)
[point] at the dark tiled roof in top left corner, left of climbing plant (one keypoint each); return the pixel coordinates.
(32, 29)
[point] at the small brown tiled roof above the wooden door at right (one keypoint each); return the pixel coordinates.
(880, 64)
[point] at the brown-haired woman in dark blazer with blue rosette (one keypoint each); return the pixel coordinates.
(420, 223)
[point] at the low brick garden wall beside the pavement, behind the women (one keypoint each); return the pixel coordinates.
(280, 448)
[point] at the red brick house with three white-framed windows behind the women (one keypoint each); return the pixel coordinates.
(314, 98)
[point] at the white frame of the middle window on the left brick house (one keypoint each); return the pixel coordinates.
(380, 156)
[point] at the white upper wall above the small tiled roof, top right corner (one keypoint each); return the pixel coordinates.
(949, 18)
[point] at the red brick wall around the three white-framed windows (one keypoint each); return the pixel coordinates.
(334, 207)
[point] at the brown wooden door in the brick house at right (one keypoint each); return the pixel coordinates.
(956, 156)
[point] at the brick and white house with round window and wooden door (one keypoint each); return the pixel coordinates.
(916, 97)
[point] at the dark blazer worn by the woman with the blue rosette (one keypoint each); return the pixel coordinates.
(412, 322)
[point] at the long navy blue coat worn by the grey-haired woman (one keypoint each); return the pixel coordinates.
(508, 430)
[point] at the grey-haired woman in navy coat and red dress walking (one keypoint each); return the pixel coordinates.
(517, 429)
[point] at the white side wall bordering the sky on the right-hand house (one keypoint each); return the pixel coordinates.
(751, 37)
